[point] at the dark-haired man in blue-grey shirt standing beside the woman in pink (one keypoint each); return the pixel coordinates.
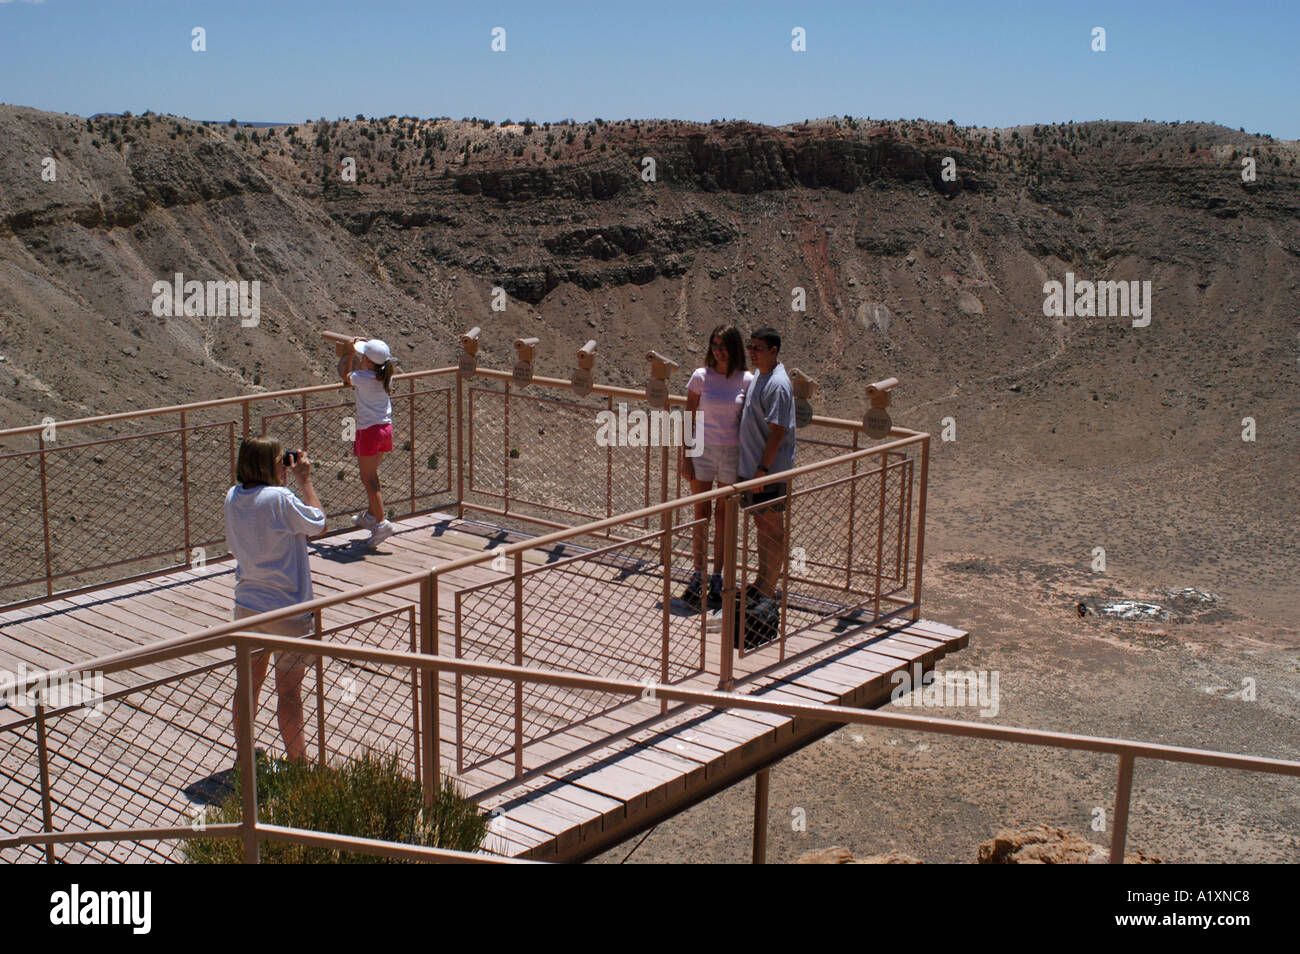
(768, 448)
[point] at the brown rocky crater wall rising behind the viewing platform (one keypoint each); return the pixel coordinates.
(911, 264)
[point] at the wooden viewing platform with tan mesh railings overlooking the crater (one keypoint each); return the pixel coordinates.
(527, 561)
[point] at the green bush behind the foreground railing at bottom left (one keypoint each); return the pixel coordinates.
(367, 799)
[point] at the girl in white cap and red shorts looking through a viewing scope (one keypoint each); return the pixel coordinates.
(374, 427)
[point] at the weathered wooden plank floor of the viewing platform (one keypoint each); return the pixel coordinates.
(574, 812)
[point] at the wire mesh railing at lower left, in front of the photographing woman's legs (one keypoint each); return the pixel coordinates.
(162, 753)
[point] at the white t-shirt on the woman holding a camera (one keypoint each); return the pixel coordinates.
(267, 531)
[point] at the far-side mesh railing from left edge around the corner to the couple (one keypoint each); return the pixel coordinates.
(86, 502)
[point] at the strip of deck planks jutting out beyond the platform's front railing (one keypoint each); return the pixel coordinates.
(617, 792)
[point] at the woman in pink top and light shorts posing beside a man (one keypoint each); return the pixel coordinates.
(717, 392)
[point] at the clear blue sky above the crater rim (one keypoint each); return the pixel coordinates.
(985, 64)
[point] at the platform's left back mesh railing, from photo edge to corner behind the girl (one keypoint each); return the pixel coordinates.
(84, 500)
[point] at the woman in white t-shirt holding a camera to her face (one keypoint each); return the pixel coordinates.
(267, 531)
